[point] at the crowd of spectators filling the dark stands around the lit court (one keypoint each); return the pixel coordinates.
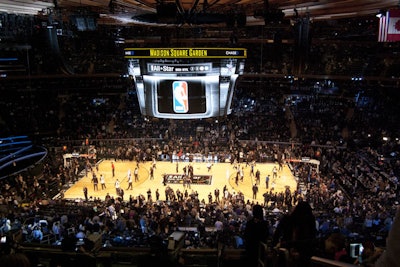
(353, 194)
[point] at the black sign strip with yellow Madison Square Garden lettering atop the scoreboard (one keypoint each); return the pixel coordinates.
(185, 53)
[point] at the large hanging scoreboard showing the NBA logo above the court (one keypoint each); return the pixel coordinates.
(185, 83)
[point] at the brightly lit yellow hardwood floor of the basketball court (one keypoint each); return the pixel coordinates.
(221, 174)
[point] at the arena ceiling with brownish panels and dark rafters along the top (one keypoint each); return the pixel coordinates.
(148, 11)
